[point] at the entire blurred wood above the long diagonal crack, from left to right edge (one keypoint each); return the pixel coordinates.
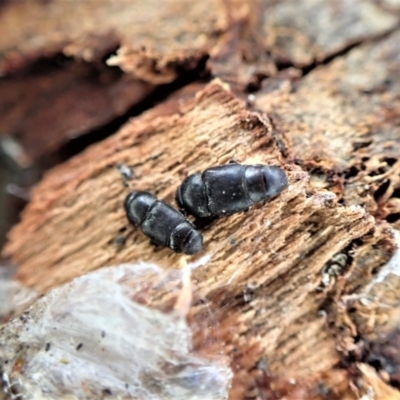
(244, 42)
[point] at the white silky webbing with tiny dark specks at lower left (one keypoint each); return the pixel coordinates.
(119, 332)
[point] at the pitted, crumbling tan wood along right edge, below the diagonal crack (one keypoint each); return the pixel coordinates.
(340, 123)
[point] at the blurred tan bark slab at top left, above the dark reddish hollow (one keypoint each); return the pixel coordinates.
(155, 40)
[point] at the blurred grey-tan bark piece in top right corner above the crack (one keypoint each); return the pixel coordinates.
(319, 29)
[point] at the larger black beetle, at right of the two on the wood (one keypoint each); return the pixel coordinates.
(228, 189)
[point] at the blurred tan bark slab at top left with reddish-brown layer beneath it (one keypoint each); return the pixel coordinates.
(58, 85)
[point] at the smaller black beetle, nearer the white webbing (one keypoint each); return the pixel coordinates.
(163, 224)
